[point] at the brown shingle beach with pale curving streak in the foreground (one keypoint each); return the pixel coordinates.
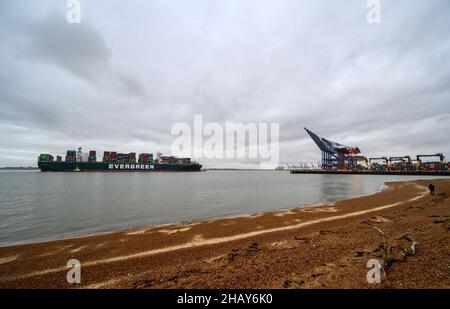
(315, 247)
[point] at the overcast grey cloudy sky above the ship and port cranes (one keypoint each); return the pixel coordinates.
(122, 77)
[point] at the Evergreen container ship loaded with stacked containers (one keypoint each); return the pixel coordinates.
(77, 161)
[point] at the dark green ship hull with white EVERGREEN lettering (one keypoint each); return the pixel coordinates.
(117, 167)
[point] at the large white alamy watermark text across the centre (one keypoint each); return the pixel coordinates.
(230, 140)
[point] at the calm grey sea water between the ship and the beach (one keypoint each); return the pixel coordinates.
(37, 206)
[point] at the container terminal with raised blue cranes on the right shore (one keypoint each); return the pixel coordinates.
(342, 159)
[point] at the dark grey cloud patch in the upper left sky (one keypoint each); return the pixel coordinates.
(78, 48)
